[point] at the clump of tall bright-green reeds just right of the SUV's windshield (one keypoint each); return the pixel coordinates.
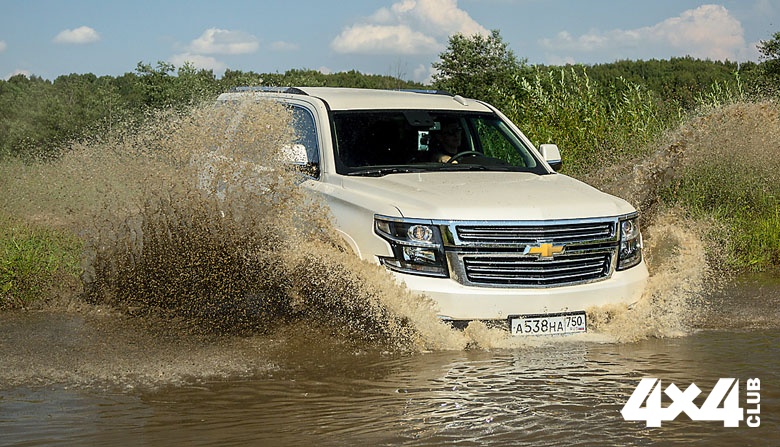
(592, 124)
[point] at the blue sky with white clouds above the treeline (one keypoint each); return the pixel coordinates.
(49, 38)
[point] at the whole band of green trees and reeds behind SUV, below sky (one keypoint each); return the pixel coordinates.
(39, 117)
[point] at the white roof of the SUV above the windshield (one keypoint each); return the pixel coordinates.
(340, 98)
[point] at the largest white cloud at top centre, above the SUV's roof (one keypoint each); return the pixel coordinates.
(407, 27)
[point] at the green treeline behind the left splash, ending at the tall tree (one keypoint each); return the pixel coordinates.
(38, 117)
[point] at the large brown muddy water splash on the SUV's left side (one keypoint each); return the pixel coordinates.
(220, 239)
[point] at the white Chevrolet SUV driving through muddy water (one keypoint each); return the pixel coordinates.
(489, 231)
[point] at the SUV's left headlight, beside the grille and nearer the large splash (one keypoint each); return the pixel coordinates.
(416, 244)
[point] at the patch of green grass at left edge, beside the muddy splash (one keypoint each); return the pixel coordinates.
(33, 261)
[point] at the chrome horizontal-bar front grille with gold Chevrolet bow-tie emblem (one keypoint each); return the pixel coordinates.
(502, 254)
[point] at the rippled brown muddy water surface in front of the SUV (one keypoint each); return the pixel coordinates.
(92, 379)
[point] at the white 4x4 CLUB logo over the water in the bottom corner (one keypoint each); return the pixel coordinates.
(722, 404)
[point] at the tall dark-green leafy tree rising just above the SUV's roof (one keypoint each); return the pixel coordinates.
(478, 66)
